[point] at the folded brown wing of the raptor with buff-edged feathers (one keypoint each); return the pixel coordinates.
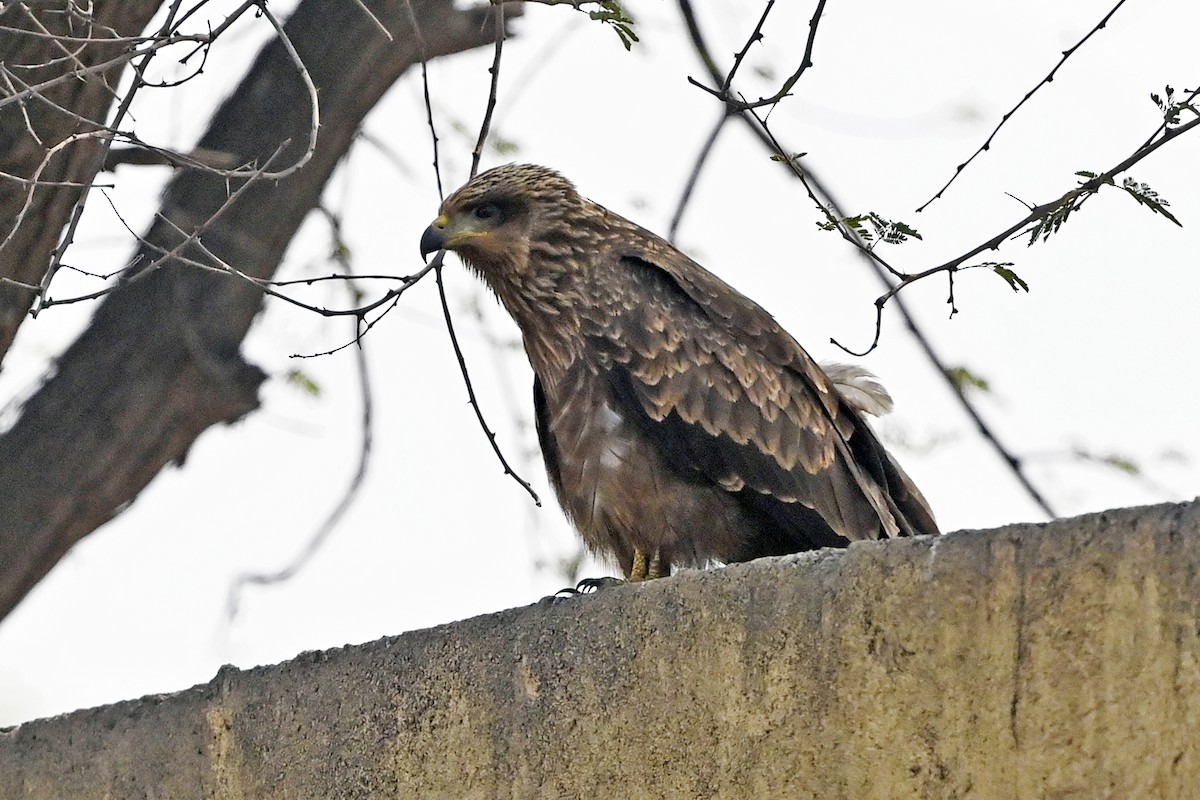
(730, 398)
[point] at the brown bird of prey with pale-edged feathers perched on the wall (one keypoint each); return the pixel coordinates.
(680, 424)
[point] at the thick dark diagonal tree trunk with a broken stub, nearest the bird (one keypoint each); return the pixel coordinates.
(160, 362)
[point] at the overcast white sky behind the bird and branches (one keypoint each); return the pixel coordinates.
(1099, 356)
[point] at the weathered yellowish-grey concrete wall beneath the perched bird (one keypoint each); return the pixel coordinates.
(1058, 661)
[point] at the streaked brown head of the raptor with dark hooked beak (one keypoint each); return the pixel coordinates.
(495, 220)
